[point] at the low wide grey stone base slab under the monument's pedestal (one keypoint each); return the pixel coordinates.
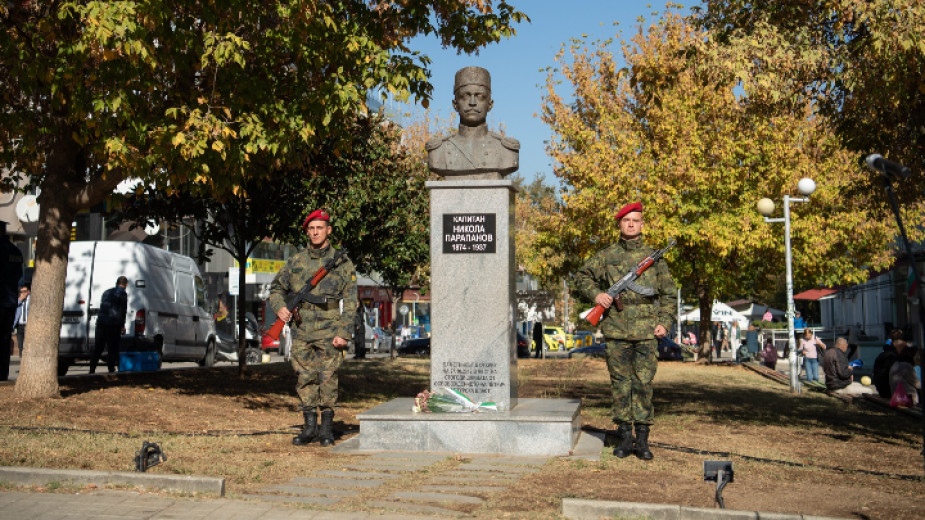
(534, 427)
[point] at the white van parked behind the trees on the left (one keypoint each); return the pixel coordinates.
(167, 309)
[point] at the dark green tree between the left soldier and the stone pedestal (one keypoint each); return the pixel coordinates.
(374, 190)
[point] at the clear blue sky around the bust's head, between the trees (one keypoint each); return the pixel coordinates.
(515, 65)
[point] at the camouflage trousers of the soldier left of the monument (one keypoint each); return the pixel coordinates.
(316, 364)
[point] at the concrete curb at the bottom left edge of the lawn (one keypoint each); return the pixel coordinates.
(43, 477)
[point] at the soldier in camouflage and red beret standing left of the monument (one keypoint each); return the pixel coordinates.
(320, 337)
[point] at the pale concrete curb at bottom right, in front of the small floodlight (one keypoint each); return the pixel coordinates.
(580, 509)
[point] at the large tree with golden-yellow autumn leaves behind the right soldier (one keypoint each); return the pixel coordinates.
(698, 134)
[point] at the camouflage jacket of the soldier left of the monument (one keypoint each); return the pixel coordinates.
(319, 322)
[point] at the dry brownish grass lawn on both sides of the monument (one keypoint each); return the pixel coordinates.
(808, 454)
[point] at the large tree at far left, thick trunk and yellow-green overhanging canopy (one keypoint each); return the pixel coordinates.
(94, 92)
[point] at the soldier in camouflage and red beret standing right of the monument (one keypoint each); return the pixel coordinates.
(632, 347)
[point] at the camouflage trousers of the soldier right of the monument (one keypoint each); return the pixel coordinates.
(632, 366)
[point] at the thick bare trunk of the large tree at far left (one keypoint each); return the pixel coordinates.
(38, 372)
